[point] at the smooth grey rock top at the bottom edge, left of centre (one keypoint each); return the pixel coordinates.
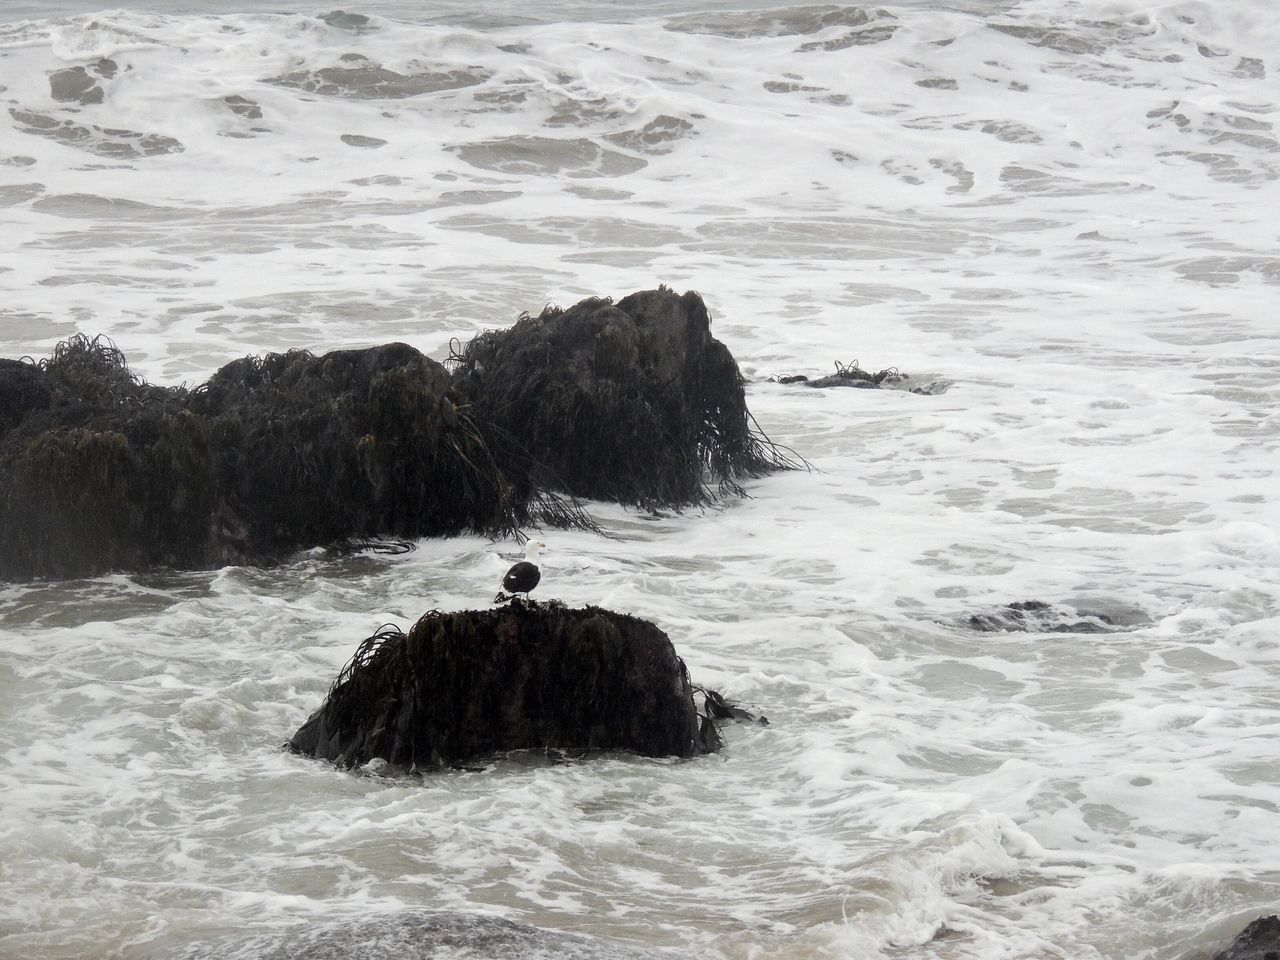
(410, 935)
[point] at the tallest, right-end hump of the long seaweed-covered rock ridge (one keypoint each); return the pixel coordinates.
(634, 401)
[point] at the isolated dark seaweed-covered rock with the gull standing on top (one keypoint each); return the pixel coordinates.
(465, 685)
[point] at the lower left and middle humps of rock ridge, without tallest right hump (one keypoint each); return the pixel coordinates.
(102, 472)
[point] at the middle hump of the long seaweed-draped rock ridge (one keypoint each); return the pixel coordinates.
(359, 444)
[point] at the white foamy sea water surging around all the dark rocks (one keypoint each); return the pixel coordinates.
(1058, 218)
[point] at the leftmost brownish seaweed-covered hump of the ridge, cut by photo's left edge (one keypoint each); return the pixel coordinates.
(99, 470)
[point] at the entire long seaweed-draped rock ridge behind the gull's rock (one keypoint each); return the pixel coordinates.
(103, 472)
